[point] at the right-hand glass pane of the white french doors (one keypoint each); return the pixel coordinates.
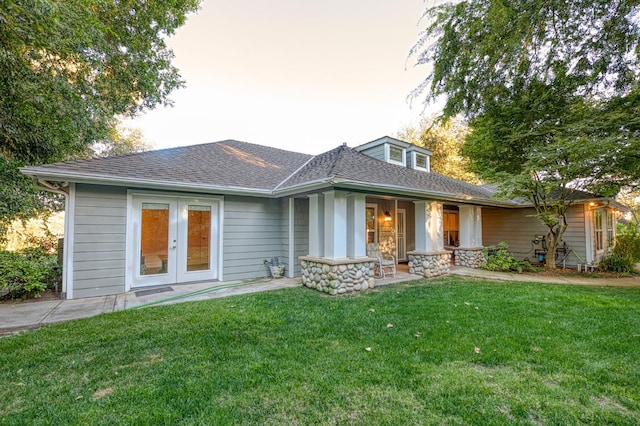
(198, 234)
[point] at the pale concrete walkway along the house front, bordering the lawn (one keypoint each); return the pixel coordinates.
(20, 316)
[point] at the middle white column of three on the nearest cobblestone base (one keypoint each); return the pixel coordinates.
(335, 225)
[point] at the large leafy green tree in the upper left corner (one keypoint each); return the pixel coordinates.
(68, 71)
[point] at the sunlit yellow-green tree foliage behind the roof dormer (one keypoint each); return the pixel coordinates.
(444, 139)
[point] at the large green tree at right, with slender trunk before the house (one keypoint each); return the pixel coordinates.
(551, 91)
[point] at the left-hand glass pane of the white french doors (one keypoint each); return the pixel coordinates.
(154, 238)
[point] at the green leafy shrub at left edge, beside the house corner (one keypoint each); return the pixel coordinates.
(28, 273)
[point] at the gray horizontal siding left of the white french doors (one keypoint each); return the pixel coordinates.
(99, 240)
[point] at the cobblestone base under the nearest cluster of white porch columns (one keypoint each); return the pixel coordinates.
(338, 277)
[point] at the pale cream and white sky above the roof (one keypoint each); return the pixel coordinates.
(301, 75)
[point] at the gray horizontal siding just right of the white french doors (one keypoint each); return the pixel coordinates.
(252, 232)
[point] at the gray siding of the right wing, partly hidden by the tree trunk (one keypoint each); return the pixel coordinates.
(517, 227)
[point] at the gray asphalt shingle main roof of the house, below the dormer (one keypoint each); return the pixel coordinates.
(237, 164)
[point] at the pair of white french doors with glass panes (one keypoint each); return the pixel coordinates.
(175, 239)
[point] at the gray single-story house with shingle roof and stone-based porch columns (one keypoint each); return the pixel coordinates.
(218, 211)
